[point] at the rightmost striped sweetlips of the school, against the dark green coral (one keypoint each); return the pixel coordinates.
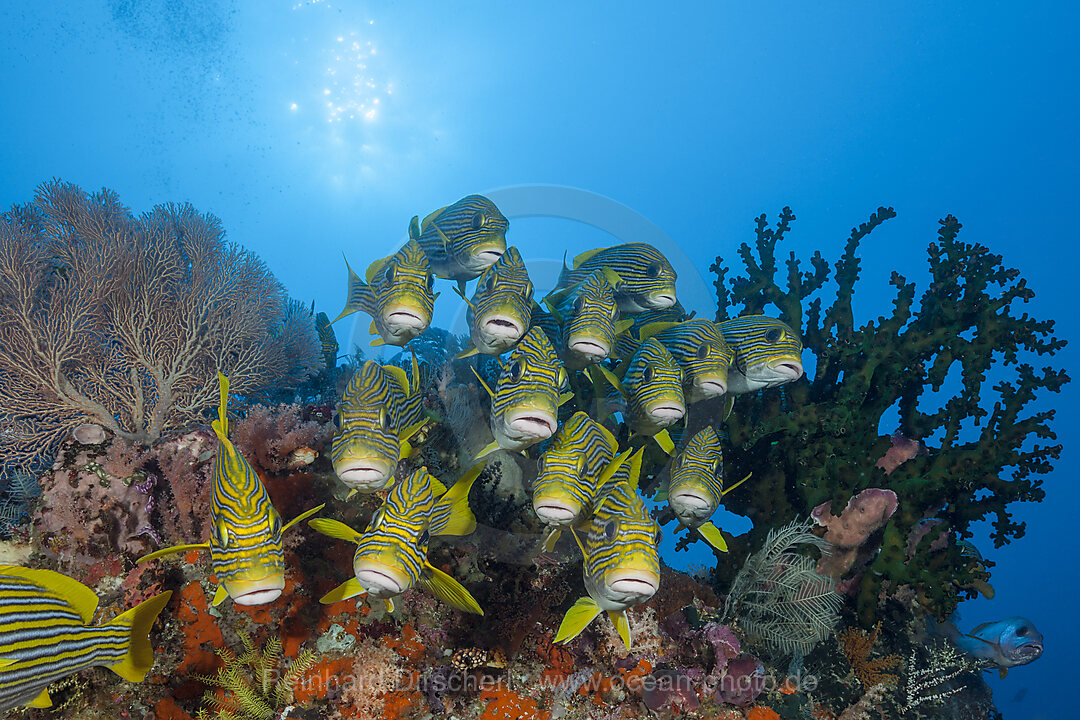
(767, 354)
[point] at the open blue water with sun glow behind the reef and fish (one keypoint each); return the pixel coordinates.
(316, 129)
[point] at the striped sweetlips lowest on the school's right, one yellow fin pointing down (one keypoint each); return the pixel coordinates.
(697, 485)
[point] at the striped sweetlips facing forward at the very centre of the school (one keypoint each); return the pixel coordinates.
(528, 395)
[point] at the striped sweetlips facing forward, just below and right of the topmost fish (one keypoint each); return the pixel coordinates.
(502, 308)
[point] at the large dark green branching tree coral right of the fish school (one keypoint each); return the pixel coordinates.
(817, 441)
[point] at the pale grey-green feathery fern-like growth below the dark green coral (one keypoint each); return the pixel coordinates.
(779, 599)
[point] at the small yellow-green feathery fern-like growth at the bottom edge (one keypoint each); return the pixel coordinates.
(255, 689)
